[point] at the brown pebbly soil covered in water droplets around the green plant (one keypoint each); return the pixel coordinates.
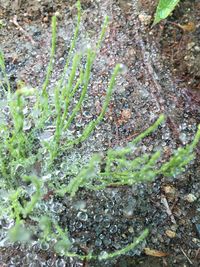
(162, 76)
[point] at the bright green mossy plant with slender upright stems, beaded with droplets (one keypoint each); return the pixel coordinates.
(21, 149)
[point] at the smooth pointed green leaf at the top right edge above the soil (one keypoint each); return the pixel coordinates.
(164, 9)
